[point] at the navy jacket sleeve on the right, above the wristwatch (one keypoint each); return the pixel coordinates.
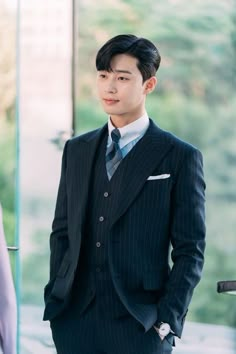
(187, 233)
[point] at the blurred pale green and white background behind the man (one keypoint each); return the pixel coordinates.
(47, 94)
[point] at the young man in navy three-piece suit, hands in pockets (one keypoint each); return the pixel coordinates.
(128, 191)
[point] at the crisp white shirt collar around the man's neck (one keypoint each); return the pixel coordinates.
(130, 131)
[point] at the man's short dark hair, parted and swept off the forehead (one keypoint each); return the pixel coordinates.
(142, 49)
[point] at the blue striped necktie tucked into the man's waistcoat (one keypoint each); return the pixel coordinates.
(114, 154)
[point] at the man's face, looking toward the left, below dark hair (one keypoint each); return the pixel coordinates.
(122, 91)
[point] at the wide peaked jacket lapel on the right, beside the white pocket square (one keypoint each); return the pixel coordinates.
(146, 156)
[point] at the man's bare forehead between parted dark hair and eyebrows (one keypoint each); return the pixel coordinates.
(122, 62)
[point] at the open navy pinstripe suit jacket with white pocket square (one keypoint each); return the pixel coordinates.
(149, 217)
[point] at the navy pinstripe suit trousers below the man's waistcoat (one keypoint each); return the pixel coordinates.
(95, 332)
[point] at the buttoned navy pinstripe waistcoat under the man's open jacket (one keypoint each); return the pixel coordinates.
(93, 270)
